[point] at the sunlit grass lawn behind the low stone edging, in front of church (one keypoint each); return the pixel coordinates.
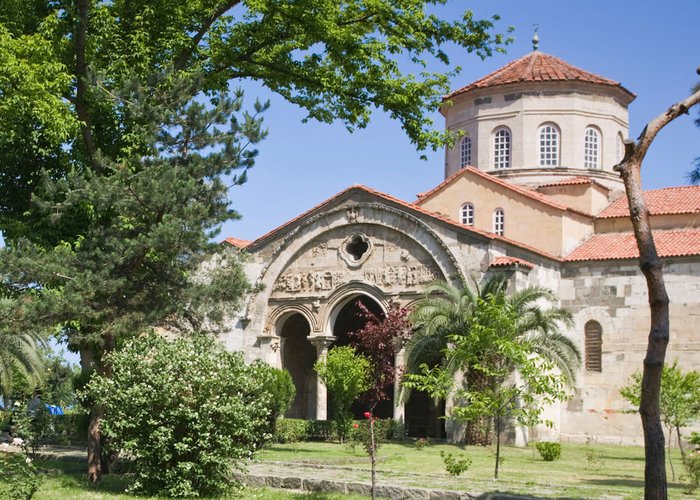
(583, 471)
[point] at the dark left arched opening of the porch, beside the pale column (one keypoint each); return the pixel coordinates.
(298, 357)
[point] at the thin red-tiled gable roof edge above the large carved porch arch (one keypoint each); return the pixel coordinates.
(410, 206)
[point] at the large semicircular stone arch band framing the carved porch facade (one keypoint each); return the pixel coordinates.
(299, 238)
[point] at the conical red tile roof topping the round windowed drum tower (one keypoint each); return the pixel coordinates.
(537, 67)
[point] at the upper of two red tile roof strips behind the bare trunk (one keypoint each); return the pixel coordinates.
(667, 201)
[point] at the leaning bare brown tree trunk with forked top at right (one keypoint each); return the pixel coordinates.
(630, 168)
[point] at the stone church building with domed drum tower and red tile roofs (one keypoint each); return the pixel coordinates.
(529, 191)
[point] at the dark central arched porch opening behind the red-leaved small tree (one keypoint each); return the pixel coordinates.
(349, 320)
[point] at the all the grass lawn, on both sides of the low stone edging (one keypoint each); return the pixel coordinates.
(582, 472)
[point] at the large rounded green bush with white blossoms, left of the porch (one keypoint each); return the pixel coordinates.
(186, 411)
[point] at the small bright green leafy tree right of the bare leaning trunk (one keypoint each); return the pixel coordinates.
(679, 399)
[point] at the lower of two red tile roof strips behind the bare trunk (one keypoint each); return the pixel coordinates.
(614, 246)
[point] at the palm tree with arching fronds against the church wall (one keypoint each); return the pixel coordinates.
(447, 310)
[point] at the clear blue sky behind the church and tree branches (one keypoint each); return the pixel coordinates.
(651, 47)
